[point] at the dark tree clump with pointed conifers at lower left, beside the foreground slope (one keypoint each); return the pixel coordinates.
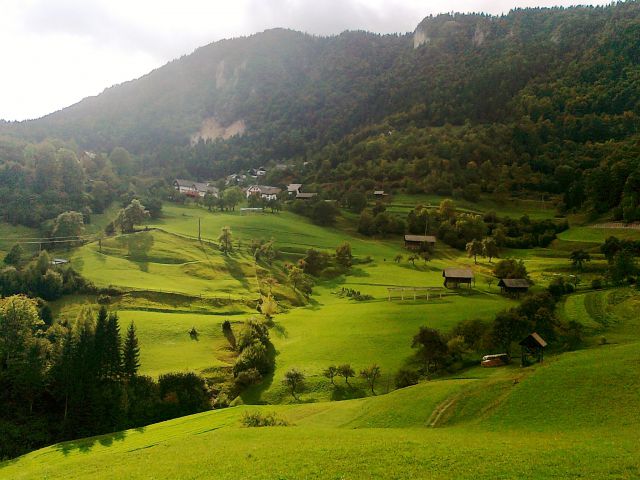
(67, 380)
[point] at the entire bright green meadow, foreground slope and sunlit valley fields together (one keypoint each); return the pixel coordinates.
(576, 415)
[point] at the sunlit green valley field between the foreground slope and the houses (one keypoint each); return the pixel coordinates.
(330, 330)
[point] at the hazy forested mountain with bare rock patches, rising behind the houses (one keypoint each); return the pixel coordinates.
(542, 99)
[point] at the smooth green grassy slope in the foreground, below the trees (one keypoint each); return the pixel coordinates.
(531, 431)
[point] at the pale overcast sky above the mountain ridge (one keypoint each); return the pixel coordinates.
(56, 52)
